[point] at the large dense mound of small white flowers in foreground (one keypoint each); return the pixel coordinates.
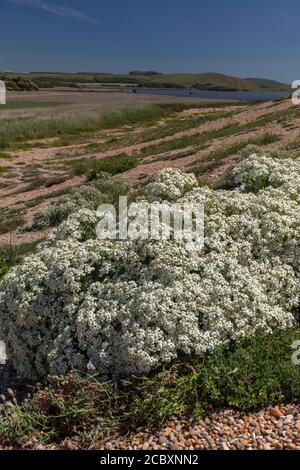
(129, 306)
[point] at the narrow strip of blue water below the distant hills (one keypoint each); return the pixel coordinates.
(215, 95)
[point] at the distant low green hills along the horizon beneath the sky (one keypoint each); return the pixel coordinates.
(203, 81)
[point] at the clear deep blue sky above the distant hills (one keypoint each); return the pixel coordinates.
(247, 38)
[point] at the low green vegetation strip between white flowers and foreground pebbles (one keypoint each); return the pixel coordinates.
(254, 373)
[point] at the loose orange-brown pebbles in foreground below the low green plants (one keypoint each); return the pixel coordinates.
(268, 429)
